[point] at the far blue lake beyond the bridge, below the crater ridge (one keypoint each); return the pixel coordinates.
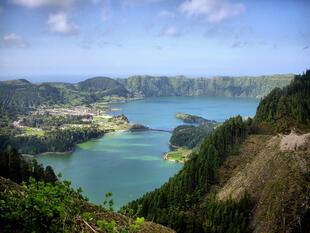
(158, 112)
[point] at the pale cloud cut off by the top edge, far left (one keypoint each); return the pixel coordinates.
(43, 3)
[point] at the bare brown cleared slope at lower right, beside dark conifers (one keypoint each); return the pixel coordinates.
(278, 180)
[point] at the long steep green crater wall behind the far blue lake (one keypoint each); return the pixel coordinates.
(217, 86)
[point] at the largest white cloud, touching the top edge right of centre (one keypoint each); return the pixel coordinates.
(212, 10)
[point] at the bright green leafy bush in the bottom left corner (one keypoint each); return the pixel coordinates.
(41, 207)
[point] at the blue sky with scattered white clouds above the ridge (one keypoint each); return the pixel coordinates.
(120, 38)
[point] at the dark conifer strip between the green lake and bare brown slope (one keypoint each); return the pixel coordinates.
(179, 203)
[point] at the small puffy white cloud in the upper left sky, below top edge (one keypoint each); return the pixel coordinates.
(59, 23)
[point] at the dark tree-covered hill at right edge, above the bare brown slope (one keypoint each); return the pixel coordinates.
(287, 108)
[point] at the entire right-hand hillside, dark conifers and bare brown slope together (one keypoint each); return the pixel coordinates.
(188, 201)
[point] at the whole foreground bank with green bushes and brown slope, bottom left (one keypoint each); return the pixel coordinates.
(43, 207)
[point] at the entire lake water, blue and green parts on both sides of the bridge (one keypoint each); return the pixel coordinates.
(130, 164)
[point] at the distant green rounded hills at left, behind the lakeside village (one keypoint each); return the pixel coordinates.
(23, 94)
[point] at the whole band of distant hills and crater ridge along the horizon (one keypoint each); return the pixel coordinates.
(21, 93)
